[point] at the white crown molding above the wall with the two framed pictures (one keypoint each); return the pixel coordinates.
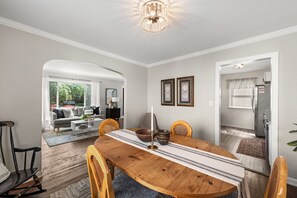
(255, 39)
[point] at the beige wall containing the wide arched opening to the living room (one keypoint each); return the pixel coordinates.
(22, 56)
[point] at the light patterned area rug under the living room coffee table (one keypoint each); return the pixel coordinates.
(53, 138)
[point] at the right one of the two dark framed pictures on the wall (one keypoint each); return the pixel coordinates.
(185, 91)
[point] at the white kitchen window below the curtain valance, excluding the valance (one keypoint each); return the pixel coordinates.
(241, 98)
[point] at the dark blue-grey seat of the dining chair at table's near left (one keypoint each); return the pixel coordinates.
(126, 187)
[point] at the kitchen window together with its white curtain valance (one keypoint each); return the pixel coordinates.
(241, 93)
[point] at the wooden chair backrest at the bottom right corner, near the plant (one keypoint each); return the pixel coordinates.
(277, 183)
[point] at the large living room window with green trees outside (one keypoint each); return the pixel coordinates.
(66, 94)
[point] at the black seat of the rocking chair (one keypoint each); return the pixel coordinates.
(15, 180)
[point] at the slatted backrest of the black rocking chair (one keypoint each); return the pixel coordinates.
(9, 124)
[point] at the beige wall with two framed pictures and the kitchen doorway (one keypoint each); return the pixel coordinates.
(202, 116)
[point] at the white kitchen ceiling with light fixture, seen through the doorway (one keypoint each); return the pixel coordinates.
(249, 66)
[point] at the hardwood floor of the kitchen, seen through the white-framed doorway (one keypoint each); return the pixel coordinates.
(230, 139)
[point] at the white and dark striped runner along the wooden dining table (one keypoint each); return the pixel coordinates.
(220, 167)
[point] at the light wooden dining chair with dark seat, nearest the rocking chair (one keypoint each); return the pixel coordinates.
(102, 186)
